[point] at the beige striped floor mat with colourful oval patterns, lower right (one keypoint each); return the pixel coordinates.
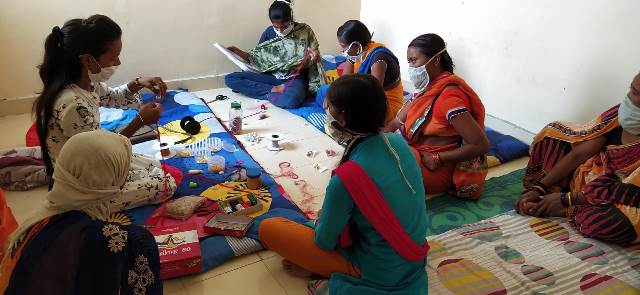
(512, 254)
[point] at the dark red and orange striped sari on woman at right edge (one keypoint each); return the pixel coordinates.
(610, 181)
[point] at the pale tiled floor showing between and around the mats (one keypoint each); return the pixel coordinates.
(259, 273)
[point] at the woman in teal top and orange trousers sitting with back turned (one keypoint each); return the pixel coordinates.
(370, 237)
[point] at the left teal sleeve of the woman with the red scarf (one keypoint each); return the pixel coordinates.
(336, 212)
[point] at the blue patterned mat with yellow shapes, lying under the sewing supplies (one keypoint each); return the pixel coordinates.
(217, 249)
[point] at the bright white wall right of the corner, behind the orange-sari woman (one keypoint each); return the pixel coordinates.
(530, 61)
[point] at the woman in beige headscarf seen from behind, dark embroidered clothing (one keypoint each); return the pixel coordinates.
(68, 246)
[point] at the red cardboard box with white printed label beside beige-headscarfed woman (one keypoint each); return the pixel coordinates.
(179, 250)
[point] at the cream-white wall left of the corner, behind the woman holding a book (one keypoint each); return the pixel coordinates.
(172, 39)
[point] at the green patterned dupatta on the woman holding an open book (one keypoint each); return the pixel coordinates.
(286, 53)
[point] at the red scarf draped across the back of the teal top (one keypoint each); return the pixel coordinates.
(374, 207)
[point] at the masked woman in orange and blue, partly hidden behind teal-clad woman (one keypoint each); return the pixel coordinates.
(368, 57)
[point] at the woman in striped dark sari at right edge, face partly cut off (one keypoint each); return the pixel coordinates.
(590, 173)
